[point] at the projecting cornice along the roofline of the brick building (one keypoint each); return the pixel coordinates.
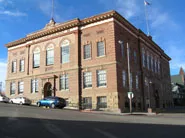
(80, 23)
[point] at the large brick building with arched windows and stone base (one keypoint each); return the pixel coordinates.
(83, 62)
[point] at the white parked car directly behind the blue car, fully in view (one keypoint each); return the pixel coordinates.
(20, 100)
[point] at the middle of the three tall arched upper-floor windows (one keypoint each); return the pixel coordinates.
(50, 55)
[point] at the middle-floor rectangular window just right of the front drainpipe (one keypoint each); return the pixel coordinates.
(87, 79)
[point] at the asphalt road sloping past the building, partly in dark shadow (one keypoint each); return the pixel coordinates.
(18, 121)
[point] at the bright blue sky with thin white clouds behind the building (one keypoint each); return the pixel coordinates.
(166, 20)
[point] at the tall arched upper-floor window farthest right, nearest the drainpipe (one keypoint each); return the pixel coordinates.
(65, 51)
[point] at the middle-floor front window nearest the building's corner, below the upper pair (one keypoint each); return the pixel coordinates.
(101, 78)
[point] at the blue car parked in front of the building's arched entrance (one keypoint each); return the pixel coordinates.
(52, 102)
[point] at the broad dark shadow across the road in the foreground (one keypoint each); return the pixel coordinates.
(45, 128)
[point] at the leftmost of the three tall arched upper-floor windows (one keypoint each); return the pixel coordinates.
(36, 58)
